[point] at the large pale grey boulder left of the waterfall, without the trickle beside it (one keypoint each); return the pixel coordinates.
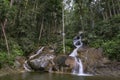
(42, 62)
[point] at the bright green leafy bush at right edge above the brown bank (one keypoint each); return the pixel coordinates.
(112, 49)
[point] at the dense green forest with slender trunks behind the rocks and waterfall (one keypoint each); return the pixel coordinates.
(26, 25)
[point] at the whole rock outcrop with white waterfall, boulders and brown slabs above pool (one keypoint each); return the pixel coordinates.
(82, 59)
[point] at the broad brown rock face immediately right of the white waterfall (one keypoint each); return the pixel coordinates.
(92, 58)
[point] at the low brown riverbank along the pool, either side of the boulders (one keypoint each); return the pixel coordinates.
(109, 69)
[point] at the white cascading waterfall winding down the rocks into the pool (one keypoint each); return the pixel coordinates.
(78, 69)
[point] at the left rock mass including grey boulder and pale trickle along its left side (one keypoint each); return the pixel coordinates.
(41, 61)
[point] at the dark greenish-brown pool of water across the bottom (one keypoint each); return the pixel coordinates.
(53, 76)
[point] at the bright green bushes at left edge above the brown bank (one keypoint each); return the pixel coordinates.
(16, 50)
